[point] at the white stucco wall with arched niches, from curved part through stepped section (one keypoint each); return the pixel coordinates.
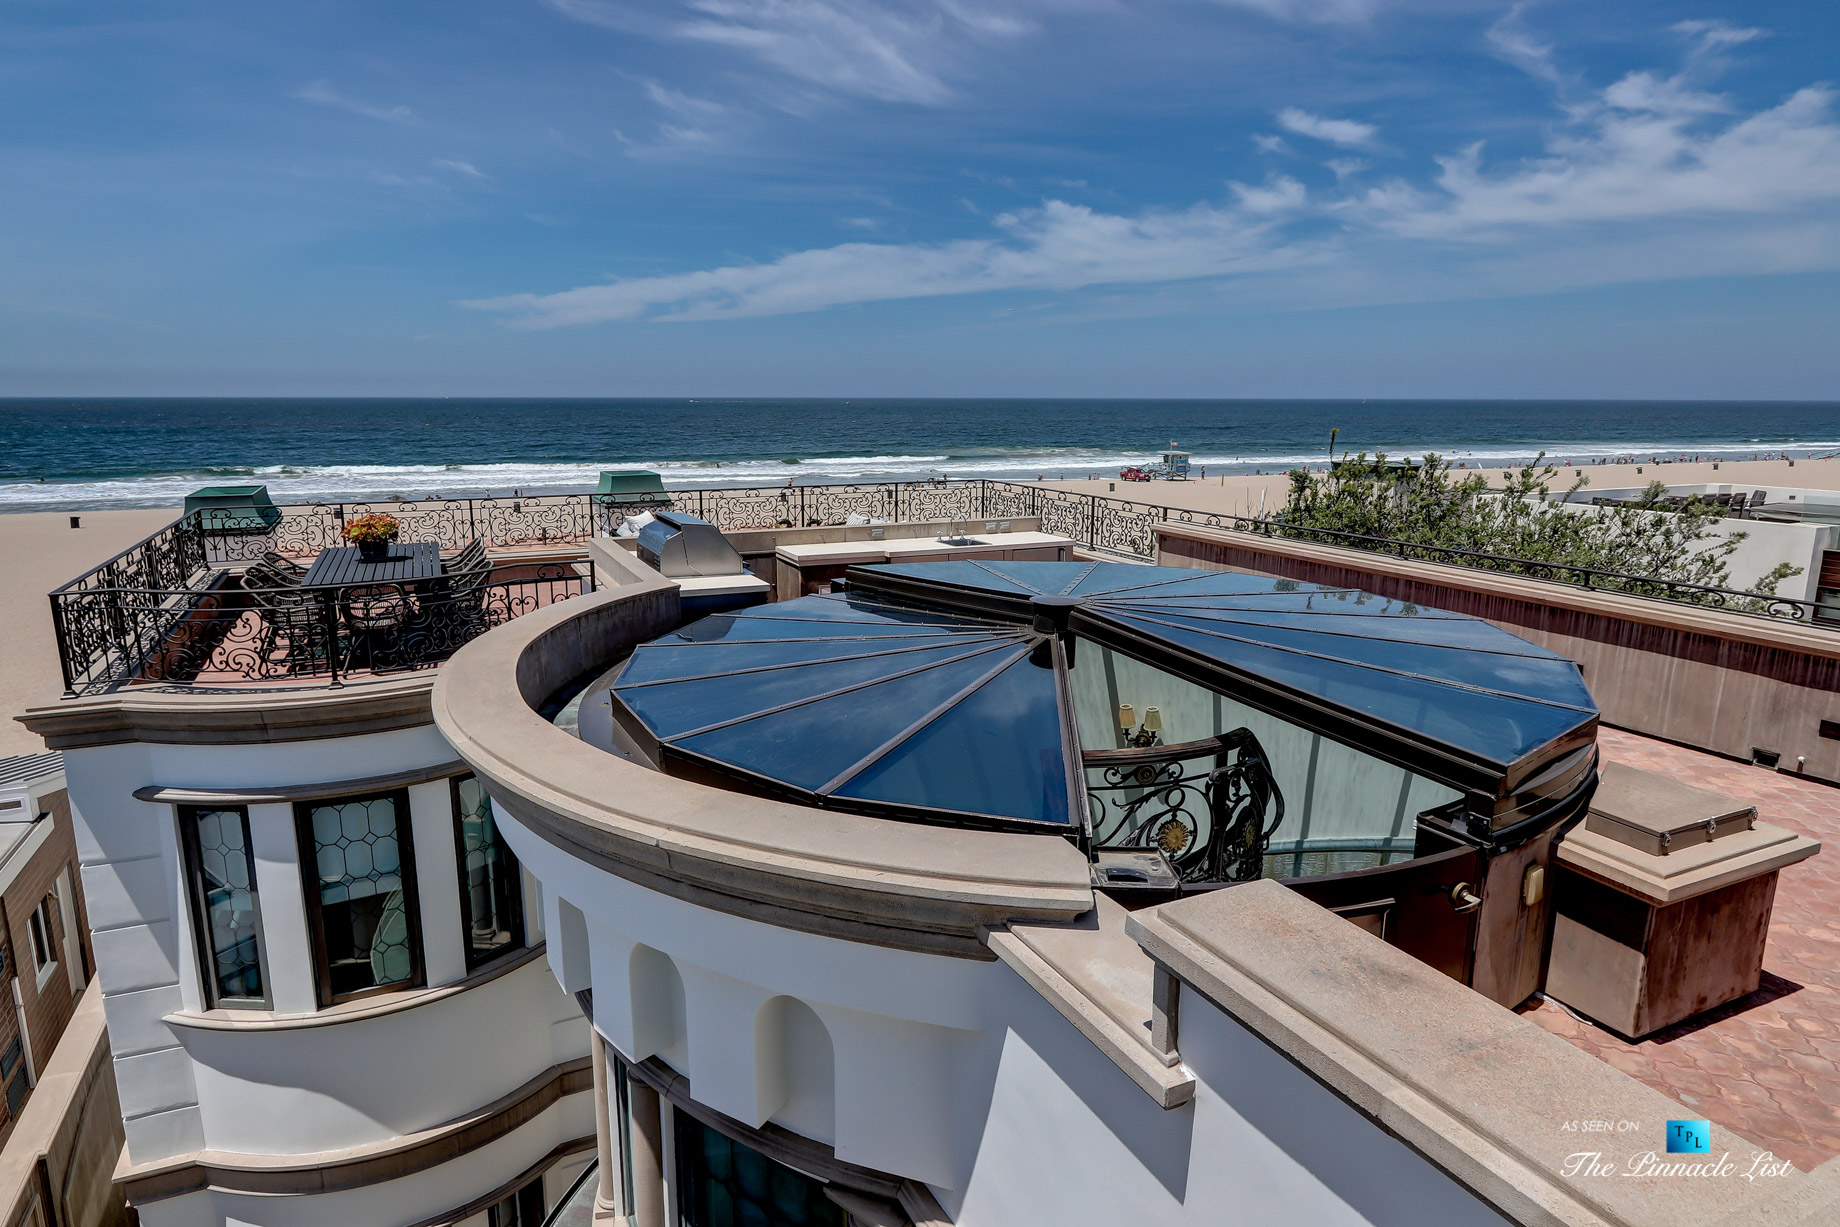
(963, 1077)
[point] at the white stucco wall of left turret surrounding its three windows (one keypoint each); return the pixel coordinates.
(317, 1088)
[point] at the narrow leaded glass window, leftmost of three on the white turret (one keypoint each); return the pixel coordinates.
(225, 906)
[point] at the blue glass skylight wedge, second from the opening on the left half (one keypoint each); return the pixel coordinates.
(814, 744)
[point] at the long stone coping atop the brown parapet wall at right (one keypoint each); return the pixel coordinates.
(1672, 615)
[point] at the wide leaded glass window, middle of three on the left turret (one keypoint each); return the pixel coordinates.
(362, 895)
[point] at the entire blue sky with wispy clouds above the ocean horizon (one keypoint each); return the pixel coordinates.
(921, 198)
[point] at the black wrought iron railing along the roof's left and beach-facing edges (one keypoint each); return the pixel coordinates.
(111, 619)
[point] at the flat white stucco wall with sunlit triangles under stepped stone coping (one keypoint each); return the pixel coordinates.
(1068, 1140)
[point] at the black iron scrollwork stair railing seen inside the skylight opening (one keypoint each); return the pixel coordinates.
(1210, 807)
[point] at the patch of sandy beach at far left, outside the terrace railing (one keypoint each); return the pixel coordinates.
(38, 553)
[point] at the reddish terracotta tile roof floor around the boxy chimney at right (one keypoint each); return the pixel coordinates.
(1769, 1064)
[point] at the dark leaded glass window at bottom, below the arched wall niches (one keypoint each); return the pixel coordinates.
(724, 1184)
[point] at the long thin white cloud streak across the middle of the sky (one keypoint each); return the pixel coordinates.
(1057, 247)
